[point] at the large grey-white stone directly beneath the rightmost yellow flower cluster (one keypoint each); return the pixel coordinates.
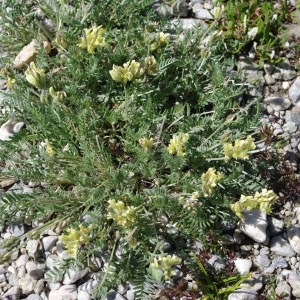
(255, 225)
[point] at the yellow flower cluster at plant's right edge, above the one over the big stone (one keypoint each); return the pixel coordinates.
(240, 148)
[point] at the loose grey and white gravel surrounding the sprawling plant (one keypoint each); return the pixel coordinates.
(269, 247)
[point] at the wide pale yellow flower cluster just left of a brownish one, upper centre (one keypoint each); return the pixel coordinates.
(130, 71)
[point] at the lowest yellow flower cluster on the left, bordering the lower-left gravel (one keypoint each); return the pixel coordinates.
(75, 239)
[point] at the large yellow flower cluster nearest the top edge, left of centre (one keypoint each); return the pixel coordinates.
(94, 38)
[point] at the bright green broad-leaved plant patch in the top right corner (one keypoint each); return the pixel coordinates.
(256, 24)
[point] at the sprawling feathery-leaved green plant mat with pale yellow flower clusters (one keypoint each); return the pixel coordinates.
(146, 140)
